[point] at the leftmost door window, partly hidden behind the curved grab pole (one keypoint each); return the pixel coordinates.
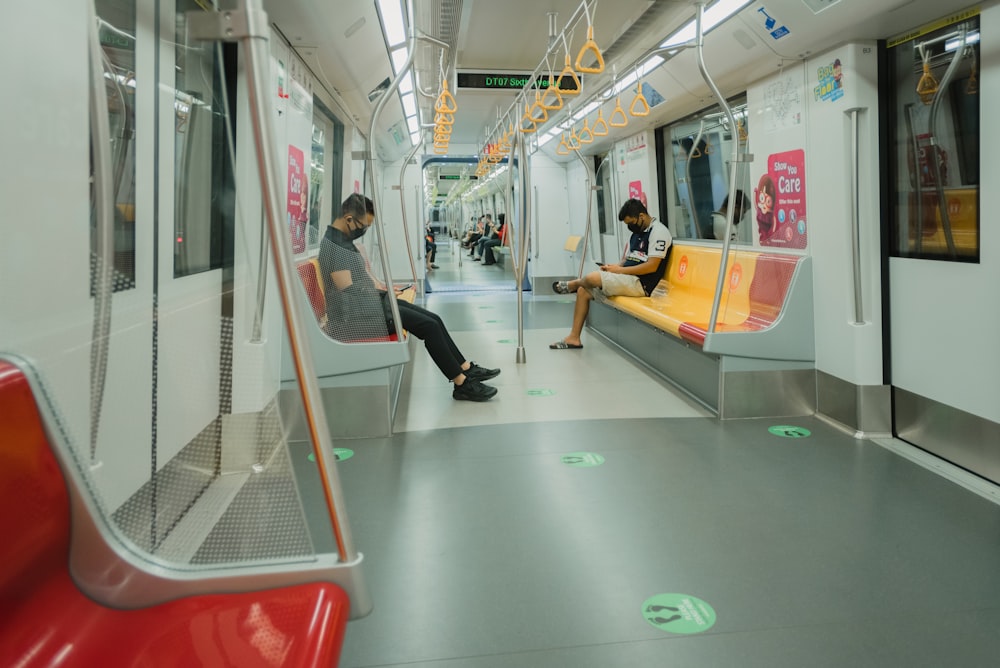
(117, 36)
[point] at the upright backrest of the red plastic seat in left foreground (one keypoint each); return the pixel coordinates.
(34, 505)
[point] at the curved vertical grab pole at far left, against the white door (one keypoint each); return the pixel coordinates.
(100, 142)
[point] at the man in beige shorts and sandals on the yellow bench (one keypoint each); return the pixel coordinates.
(636, 276)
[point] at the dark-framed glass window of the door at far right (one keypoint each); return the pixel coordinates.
(934, 159)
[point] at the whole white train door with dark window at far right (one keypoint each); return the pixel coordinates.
(943, 252)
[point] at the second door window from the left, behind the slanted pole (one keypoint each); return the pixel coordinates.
(203, 199)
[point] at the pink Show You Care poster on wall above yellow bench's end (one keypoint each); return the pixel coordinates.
(780, 201)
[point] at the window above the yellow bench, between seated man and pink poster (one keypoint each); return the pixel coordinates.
(696, 159)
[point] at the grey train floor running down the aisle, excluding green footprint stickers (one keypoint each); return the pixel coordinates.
(484, 549)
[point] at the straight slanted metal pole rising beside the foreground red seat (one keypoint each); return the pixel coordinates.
(257, 59)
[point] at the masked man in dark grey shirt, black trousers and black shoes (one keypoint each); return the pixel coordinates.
(358, 308)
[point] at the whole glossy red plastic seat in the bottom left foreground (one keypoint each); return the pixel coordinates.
(45, 620)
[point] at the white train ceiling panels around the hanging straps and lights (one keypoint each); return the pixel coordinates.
(343, 44)
